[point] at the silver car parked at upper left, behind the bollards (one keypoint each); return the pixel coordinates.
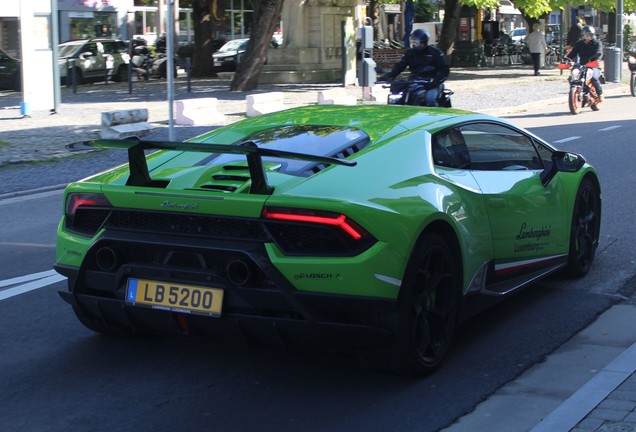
(94, 60)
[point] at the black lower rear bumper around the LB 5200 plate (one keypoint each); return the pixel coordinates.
(269, 317)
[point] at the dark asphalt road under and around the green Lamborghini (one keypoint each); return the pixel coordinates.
(58, 376)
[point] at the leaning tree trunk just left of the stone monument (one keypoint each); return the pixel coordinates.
(266, 18)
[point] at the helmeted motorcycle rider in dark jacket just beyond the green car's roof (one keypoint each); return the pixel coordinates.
(424, 62)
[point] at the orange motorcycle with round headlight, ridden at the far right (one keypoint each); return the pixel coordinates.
(582, 91)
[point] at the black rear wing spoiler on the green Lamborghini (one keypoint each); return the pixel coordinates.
(140, 176)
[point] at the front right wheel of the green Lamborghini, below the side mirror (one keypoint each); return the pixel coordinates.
(585, 229)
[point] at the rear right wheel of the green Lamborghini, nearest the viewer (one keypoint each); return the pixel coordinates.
(428, 308)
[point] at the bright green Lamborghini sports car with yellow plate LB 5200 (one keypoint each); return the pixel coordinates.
(367, 228)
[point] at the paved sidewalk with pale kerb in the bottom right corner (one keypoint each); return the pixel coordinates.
(588, 384)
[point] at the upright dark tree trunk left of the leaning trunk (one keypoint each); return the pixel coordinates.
(202, 62)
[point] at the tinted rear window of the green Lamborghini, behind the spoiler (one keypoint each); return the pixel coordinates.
(332, 141)
